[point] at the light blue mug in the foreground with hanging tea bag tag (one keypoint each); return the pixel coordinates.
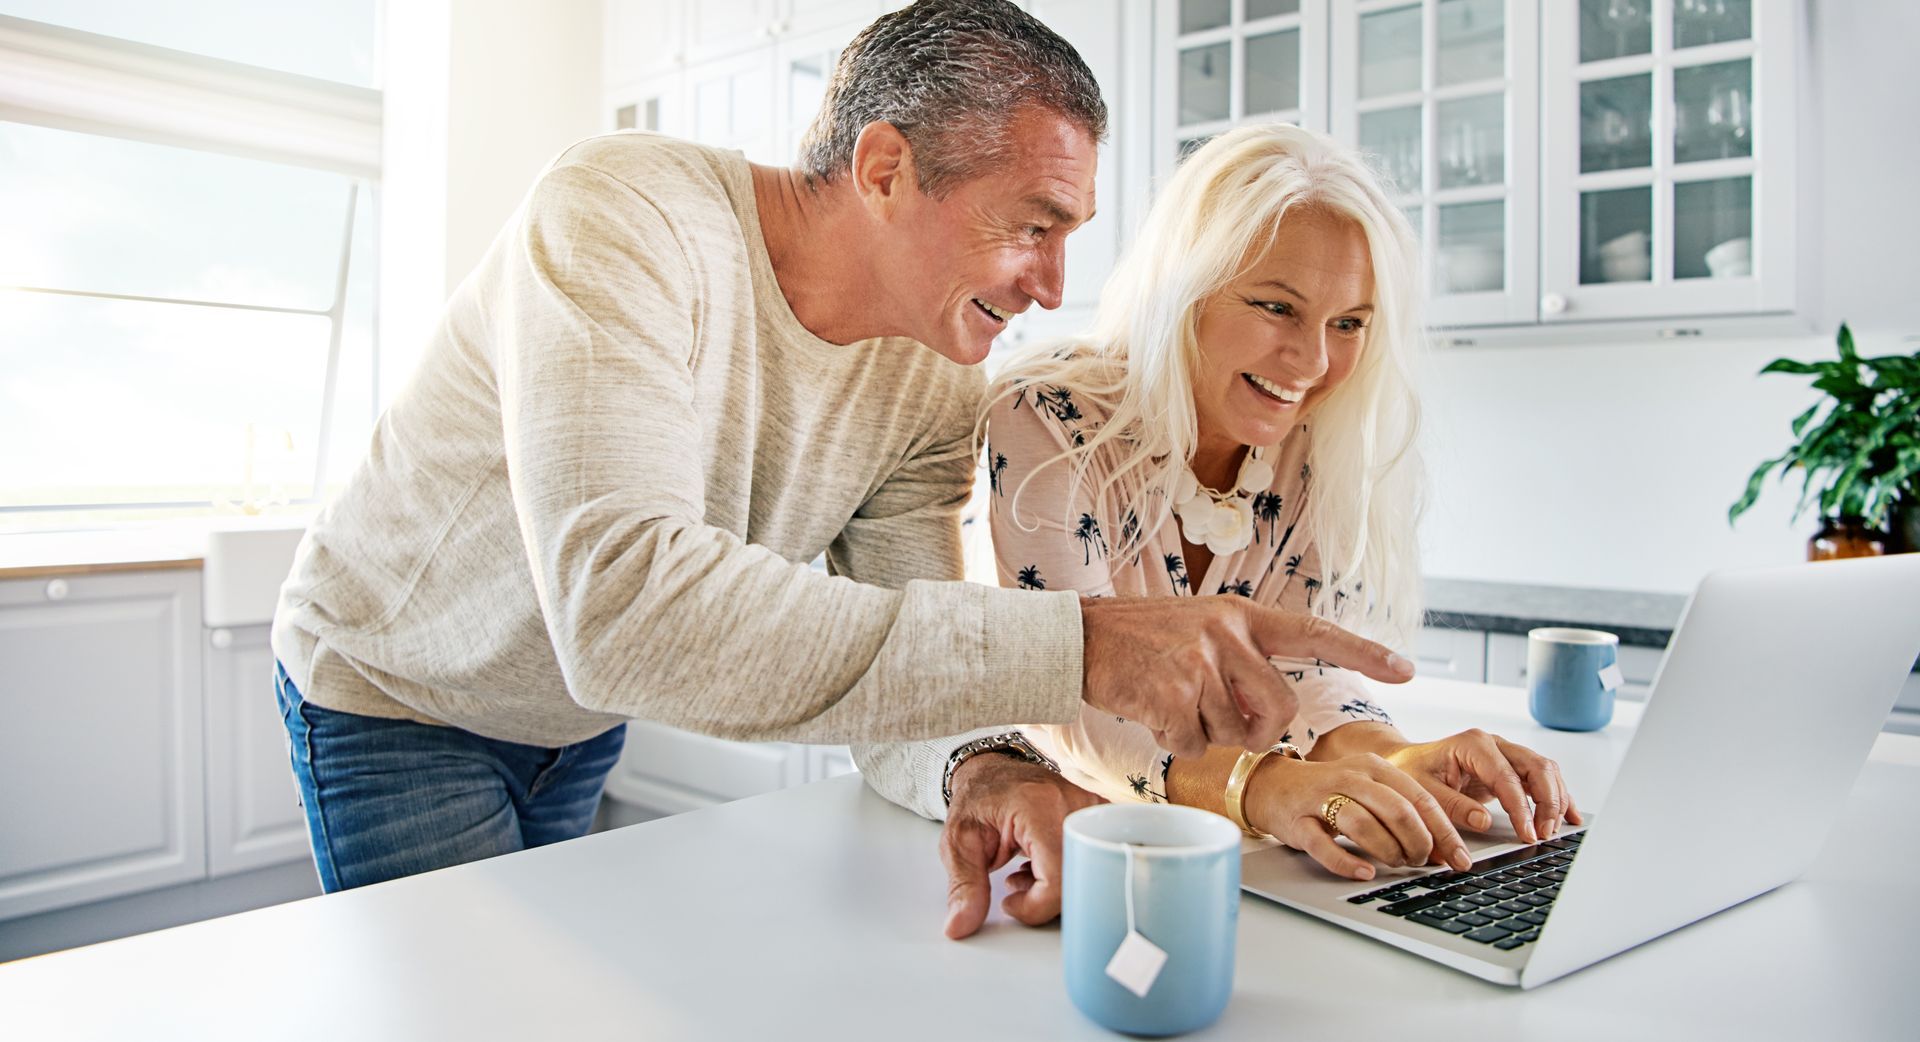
(1174, 876)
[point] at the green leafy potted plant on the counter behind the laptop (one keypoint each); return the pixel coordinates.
(1861, 458)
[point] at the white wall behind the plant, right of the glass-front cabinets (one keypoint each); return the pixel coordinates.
(1614, 465)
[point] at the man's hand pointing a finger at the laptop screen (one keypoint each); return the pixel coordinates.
(1195, 669)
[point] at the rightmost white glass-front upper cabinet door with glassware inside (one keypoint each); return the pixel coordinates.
(1669, 158)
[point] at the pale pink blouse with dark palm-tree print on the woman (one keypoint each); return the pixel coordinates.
(1045, 542)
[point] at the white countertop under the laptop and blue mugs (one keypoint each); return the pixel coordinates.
(817, 914)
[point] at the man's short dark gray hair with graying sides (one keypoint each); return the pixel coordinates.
(949, 74)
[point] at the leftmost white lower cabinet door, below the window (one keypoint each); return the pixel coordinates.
(101, 738)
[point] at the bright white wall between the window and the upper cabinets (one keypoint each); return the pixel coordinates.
(479, 97)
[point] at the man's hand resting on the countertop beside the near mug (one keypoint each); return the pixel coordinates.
(1005, 807)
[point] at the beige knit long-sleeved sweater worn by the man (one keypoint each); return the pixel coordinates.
(600, 494)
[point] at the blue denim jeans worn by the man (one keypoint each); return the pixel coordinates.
(393, 797)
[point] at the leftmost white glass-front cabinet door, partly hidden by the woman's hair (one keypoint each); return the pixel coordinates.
(1228, 62)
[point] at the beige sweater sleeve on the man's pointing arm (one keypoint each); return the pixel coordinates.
(654, 613)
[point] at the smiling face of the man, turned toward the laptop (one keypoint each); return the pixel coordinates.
(963, 266)
